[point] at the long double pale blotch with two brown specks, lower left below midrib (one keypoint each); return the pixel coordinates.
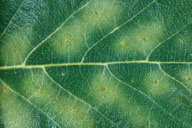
(65, 108)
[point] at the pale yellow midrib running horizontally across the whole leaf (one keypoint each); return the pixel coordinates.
(92, 64)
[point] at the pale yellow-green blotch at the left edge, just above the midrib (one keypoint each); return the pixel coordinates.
(15, 46)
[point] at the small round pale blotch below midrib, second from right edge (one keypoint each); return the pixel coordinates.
(156, 83)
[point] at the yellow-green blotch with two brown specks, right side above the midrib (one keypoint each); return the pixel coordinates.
(140, 39)
